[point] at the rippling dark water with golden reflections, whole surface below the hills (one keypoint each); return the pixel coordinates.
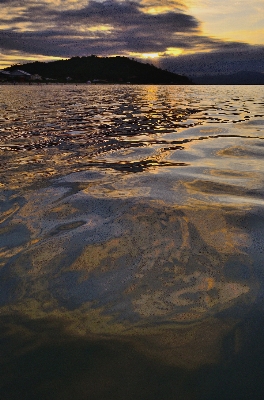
(131, 242)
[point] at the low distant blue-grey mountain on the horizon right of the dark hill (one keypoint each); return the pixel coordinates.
(238, 78)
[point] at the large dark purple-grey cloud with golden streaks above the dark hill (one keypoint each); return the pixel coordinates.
(132, 30)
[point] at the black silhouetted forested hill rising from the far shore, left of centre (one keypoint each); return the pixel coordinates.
(109, 69)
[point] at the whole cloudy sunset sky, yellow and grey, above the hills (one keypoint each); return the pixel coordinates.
(187, 36)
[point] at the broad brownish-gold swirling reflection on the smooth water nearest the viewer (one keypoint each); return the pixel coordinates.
(174, 258)
